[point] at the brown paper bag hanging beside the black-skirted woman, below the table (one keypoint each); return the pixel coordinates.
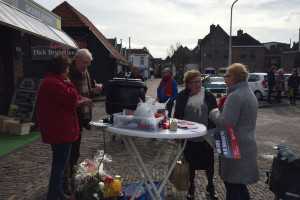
(180, 175)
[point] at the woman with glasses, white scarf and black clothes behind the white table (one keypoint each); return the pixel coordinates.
(194, 104)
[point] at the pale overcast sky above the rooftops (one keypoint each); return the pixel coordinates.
(158, 24)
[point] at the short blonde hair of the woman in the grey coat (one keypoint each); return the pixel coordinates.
(238, 72)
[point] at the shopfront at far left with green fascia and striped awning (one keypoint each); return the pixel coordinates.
(17, 28)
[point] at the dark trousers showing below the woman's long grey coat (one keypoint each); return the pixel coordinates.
(236, 191)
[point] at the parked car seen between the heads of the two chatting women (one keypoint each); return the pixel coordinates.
(214, 83)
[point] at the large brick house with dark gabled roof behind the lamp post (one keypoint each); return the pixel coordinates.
(214, 51)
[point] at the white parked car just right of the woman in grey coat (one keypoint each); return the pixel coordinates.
(258, 83)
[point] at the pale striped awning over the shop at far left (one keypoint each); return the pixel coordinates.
(17, 19)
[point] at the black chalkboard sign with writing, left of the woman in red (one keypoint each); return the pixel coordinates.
(24, 99)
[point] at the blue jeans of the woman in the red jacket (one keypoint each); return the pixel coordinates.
(60, 159)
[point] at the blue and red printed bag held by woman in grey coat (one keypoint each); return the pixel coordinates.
(225, 142)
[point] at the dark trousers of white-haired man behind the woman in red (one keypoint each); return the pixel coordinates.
(74, 156)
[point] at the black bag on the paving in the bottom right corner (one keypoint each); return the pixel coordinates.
(285, 179)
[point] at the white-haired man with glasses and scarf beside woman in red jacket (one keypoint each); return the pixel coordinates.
(80, 77)
